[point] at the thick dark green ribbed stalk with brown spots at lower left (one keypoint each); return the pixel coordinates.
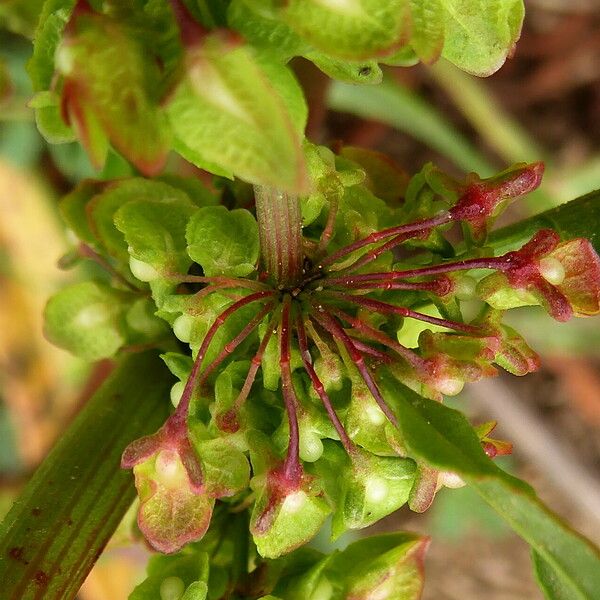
(68, 511)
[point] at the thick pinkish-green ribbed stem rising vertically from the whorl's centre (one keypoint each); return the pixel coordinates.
(280, 232)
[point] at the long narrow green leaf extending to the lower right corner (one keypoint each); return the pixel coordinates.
(442, 437)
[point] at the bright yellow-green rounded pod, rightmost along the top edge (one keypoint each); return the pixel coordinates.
(480, 34)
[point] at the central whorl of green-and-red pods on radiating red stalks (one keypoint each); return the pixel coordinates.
(299, 368)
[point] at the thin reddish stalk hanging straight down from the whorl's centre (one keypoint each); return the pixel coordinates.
(291, 468)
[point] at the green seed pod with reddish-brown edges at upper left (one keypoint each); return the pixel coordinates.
(108, 91)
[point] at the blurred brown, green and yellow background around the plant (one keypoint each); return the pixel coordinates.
(543, 104)
